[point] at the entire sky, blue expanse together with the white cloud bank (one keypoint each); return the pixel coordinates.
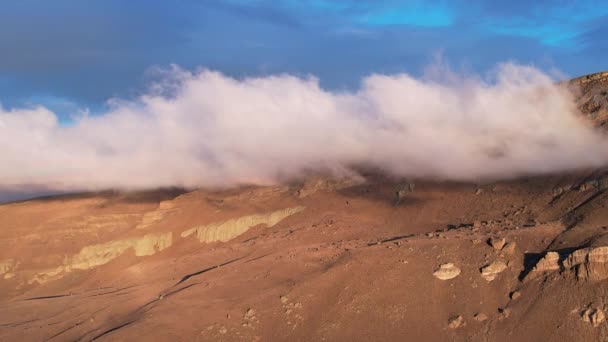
(141, 94)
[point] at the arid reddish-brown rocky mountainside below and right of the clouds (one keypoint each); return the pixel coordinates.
(320, 260)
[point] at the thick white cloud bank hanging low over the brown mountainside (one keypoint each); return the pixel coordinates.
(204, 129)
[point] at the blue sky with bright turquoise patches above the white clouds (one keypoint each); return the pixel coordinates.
(73, 54)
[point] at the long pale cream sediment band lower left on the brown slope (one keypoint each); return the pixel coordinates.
(96, 255)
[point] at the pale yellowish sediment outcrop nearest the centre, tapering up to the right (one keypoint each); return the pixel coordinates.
(230, 229)
